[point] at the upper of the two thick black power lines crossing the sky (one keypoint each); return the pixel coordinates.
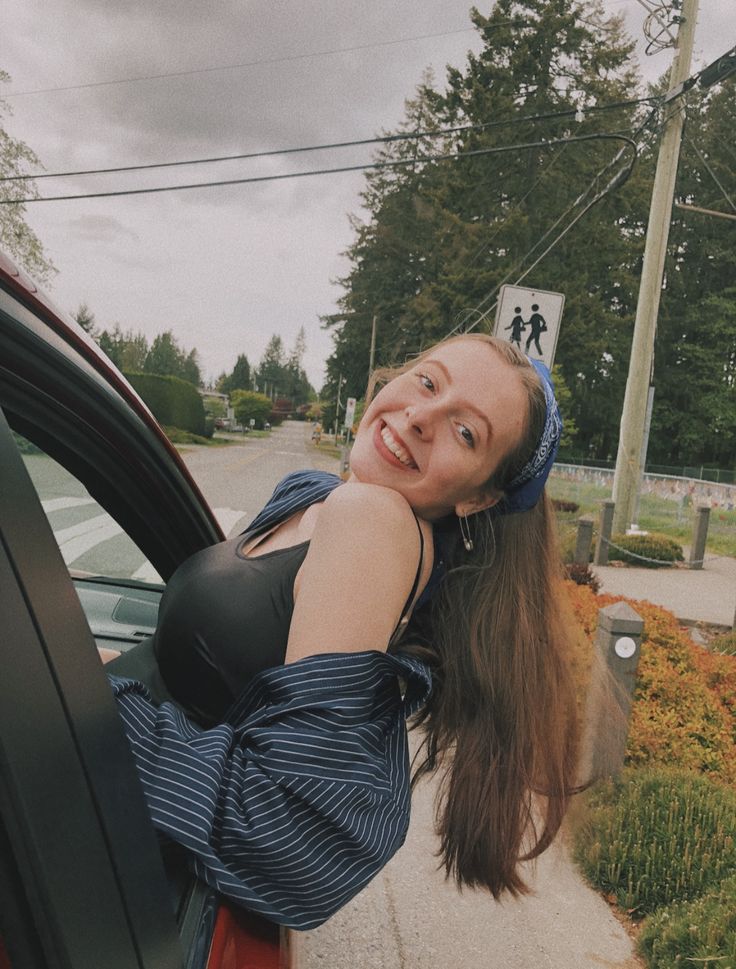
(383, 139)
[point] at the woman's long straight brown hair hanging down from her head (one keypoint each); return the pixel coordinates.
(502, 717)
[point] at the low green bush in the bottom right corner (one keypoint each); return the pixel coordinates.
(698, 933)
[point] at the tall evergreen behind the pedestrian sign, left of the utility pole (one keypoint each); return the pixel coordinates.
(441, 237)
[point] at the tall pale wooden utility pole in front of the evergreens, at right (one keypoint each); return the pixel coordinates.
(629, 458)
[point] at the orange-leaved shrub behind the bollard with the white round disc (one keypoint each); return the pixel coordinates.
(684, 709)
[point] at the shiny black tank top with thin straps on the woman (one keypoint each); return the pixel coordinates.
(224, 617)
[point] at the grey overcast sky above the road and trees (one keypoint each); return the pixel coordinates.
(225, 268)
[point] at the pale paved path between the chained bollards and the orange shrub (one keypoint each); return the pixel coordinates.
(694, 595)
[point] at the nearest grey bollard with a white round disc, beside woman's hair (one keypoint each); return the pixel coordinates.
(611, 691)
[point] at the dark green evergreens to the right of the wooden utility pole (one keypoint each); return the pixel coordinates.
(694, 417)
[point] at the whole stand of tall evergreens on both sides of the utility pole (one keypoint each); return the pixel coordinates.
(439, 238)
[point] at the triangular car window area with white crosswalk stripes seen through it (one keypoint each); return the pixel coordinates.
(92, 543)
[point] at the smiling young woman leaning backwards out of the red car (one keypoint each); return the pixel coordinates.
(425, 585)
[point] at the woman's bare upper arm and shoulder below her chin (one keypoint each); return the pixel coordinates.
(358, 573)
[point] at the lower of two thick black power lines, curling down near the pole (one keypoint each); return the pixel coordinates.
(601, 136)
